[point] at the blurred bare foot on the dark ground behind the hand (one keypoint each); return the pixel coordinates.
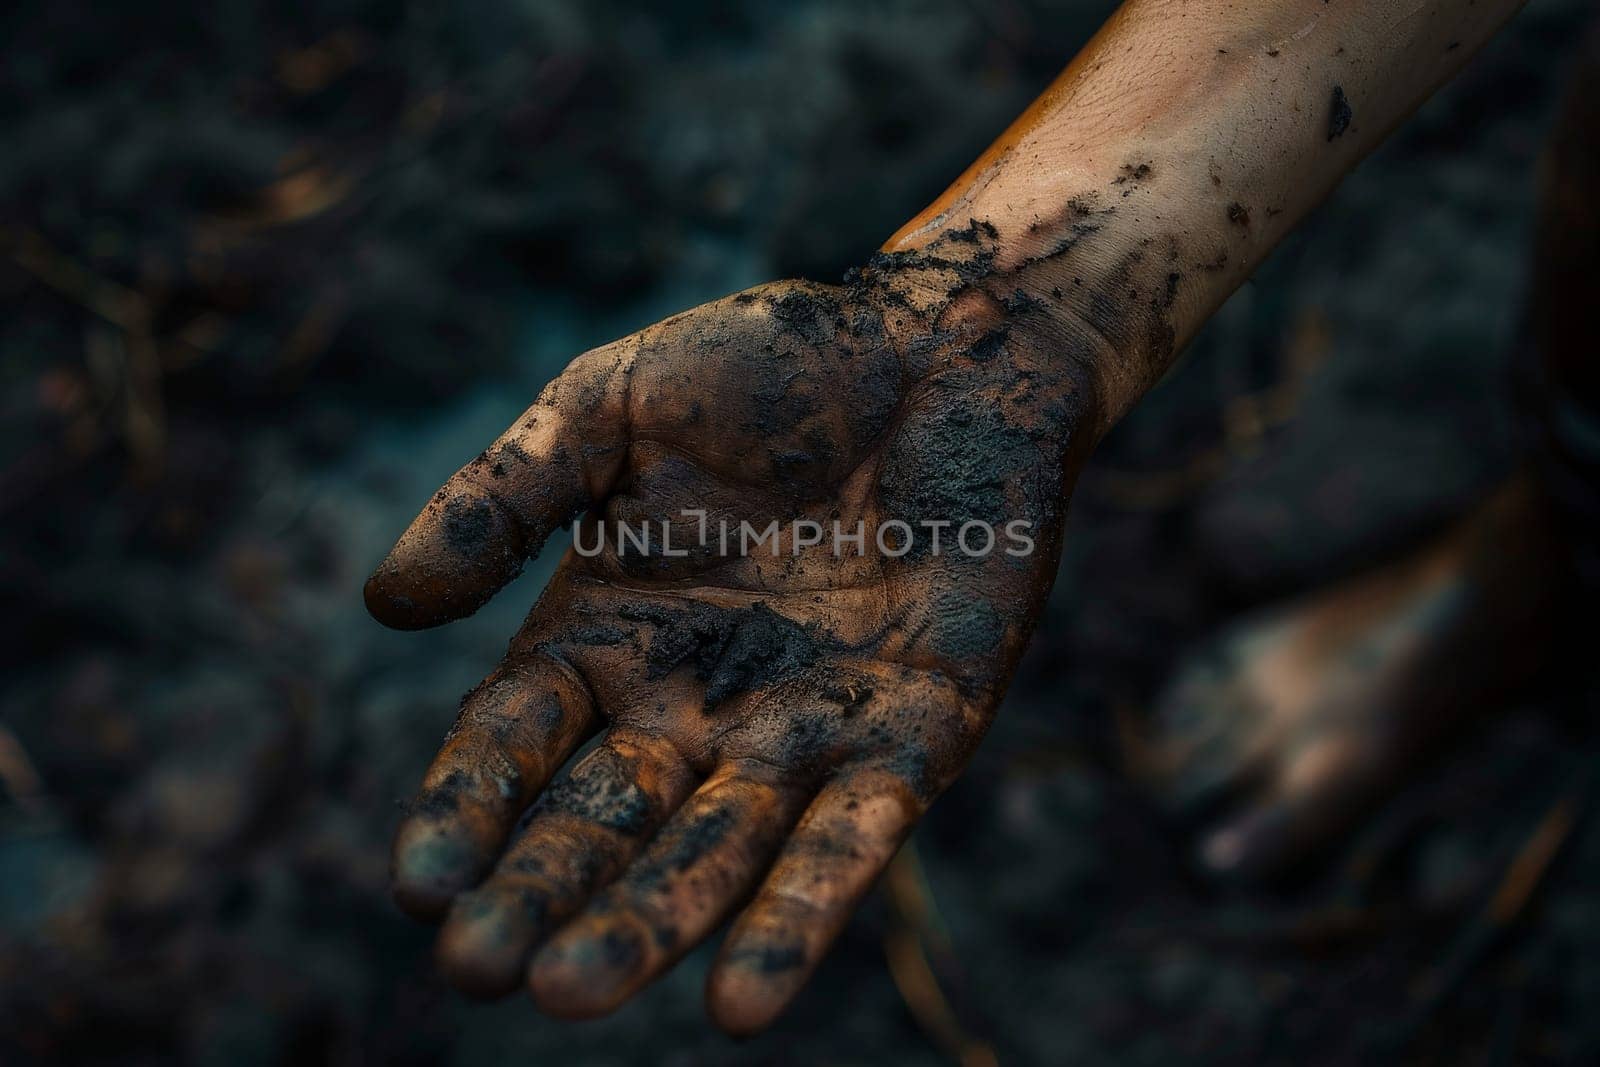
(1295, 724)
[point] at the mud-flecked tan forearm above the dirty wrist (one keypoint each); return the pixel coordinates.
(1169, 159)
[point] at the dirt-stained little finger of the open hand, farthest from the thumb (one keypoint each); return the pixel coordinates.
(841, 847)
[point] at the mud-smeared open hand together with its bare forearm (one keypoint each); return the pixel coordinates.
(772, 727)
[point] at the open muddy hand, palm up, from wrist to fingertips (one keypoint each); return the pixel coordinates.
(769, 724)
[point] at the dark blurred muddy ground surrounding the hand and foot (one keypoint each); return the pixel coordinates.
(273, 271)
